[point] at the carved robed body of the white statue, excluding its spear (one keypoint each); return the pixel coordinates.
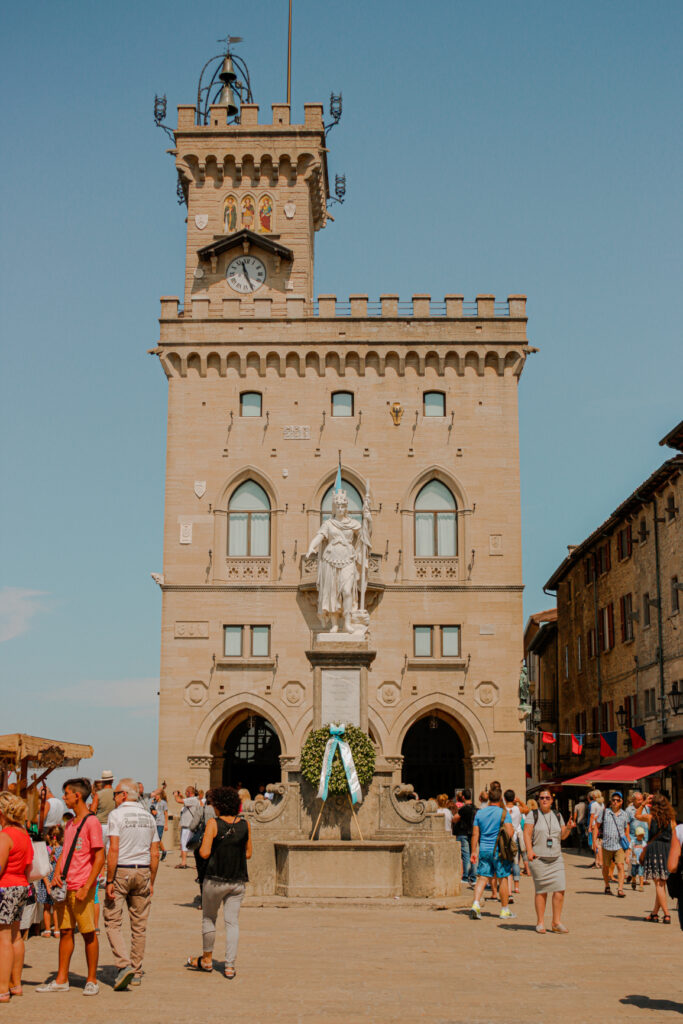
(338, 566)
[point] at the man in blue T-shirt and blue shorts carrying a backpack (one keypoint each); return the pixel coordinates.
(493, 851)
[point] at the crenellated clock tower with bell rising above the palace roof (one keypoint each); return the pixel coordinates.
(257, 195)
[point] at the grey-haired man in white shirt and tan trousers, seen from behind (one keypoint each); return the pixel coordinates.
(132, 869)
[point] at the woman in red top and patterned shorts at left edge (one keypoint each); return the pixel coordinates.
(16, 862)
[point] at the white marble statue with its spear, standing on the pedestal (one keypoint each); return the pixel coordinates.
(343, 568)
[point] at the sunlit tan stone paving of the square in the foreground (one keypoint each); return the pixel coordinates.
(398, 962)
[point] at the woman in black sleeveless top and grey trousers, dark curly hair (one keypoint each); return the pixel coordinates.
(227, 848)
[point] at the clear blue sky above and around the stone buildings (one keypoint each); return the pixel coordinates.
(526, 148)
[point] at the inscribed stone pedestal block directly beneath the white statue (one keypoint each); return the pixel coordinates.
(340, 680)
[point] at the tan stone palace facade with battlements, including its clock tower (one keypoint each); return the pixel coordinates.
(295, 354)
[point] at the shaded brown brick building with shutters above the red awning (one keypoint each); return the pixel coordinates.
(620, 631)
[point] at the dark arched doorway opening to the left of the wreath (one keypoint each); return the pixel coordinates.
(252, 755)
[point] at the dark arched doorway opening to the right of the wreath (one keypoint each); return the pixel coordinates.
(434, 756)
